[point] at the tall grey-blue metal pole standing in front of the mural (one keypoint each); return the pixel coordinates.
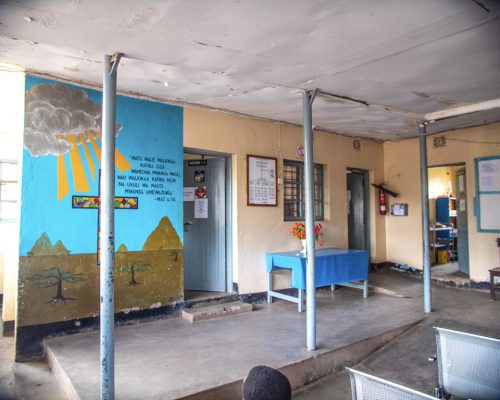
(107, 243)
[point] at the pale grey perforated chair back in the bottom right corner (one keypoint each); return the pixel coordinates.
(469, 365)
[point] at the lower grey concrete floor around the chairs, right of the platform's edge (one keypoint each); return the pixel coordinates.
(404, 360)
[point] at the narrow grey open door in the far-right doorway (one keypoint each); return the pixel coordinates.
(462, 229)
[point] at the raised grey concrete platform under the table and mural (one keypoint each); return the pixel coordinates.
(173, 359)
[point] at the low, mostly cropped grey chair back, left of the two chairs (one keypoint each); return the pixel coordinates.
(368, 387)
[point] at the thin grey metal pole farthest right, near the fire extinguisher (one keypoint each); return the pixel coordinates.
(425, 217)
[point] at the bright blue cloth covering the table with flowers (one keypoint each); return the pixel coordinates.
(333, 266)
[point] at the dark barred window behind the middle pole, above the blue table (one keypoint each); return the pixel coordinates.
(294, 194)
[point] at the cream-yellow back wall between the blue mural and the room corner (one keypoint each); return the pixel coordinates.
(258, 230)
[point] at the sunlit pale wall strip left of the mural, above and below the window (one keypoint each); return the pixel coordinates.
(11, 134)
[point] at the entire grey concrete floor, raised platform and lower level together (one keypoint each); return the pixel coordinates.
(172, 358)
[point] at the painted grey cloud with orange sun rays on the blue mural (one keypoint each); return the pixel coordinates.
(64, 122)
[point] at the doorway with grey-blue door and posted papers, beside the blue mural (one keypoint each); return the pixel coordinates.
(207, 225)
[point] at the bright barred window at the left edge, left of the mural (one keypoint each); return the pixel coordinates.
(8, 190)
